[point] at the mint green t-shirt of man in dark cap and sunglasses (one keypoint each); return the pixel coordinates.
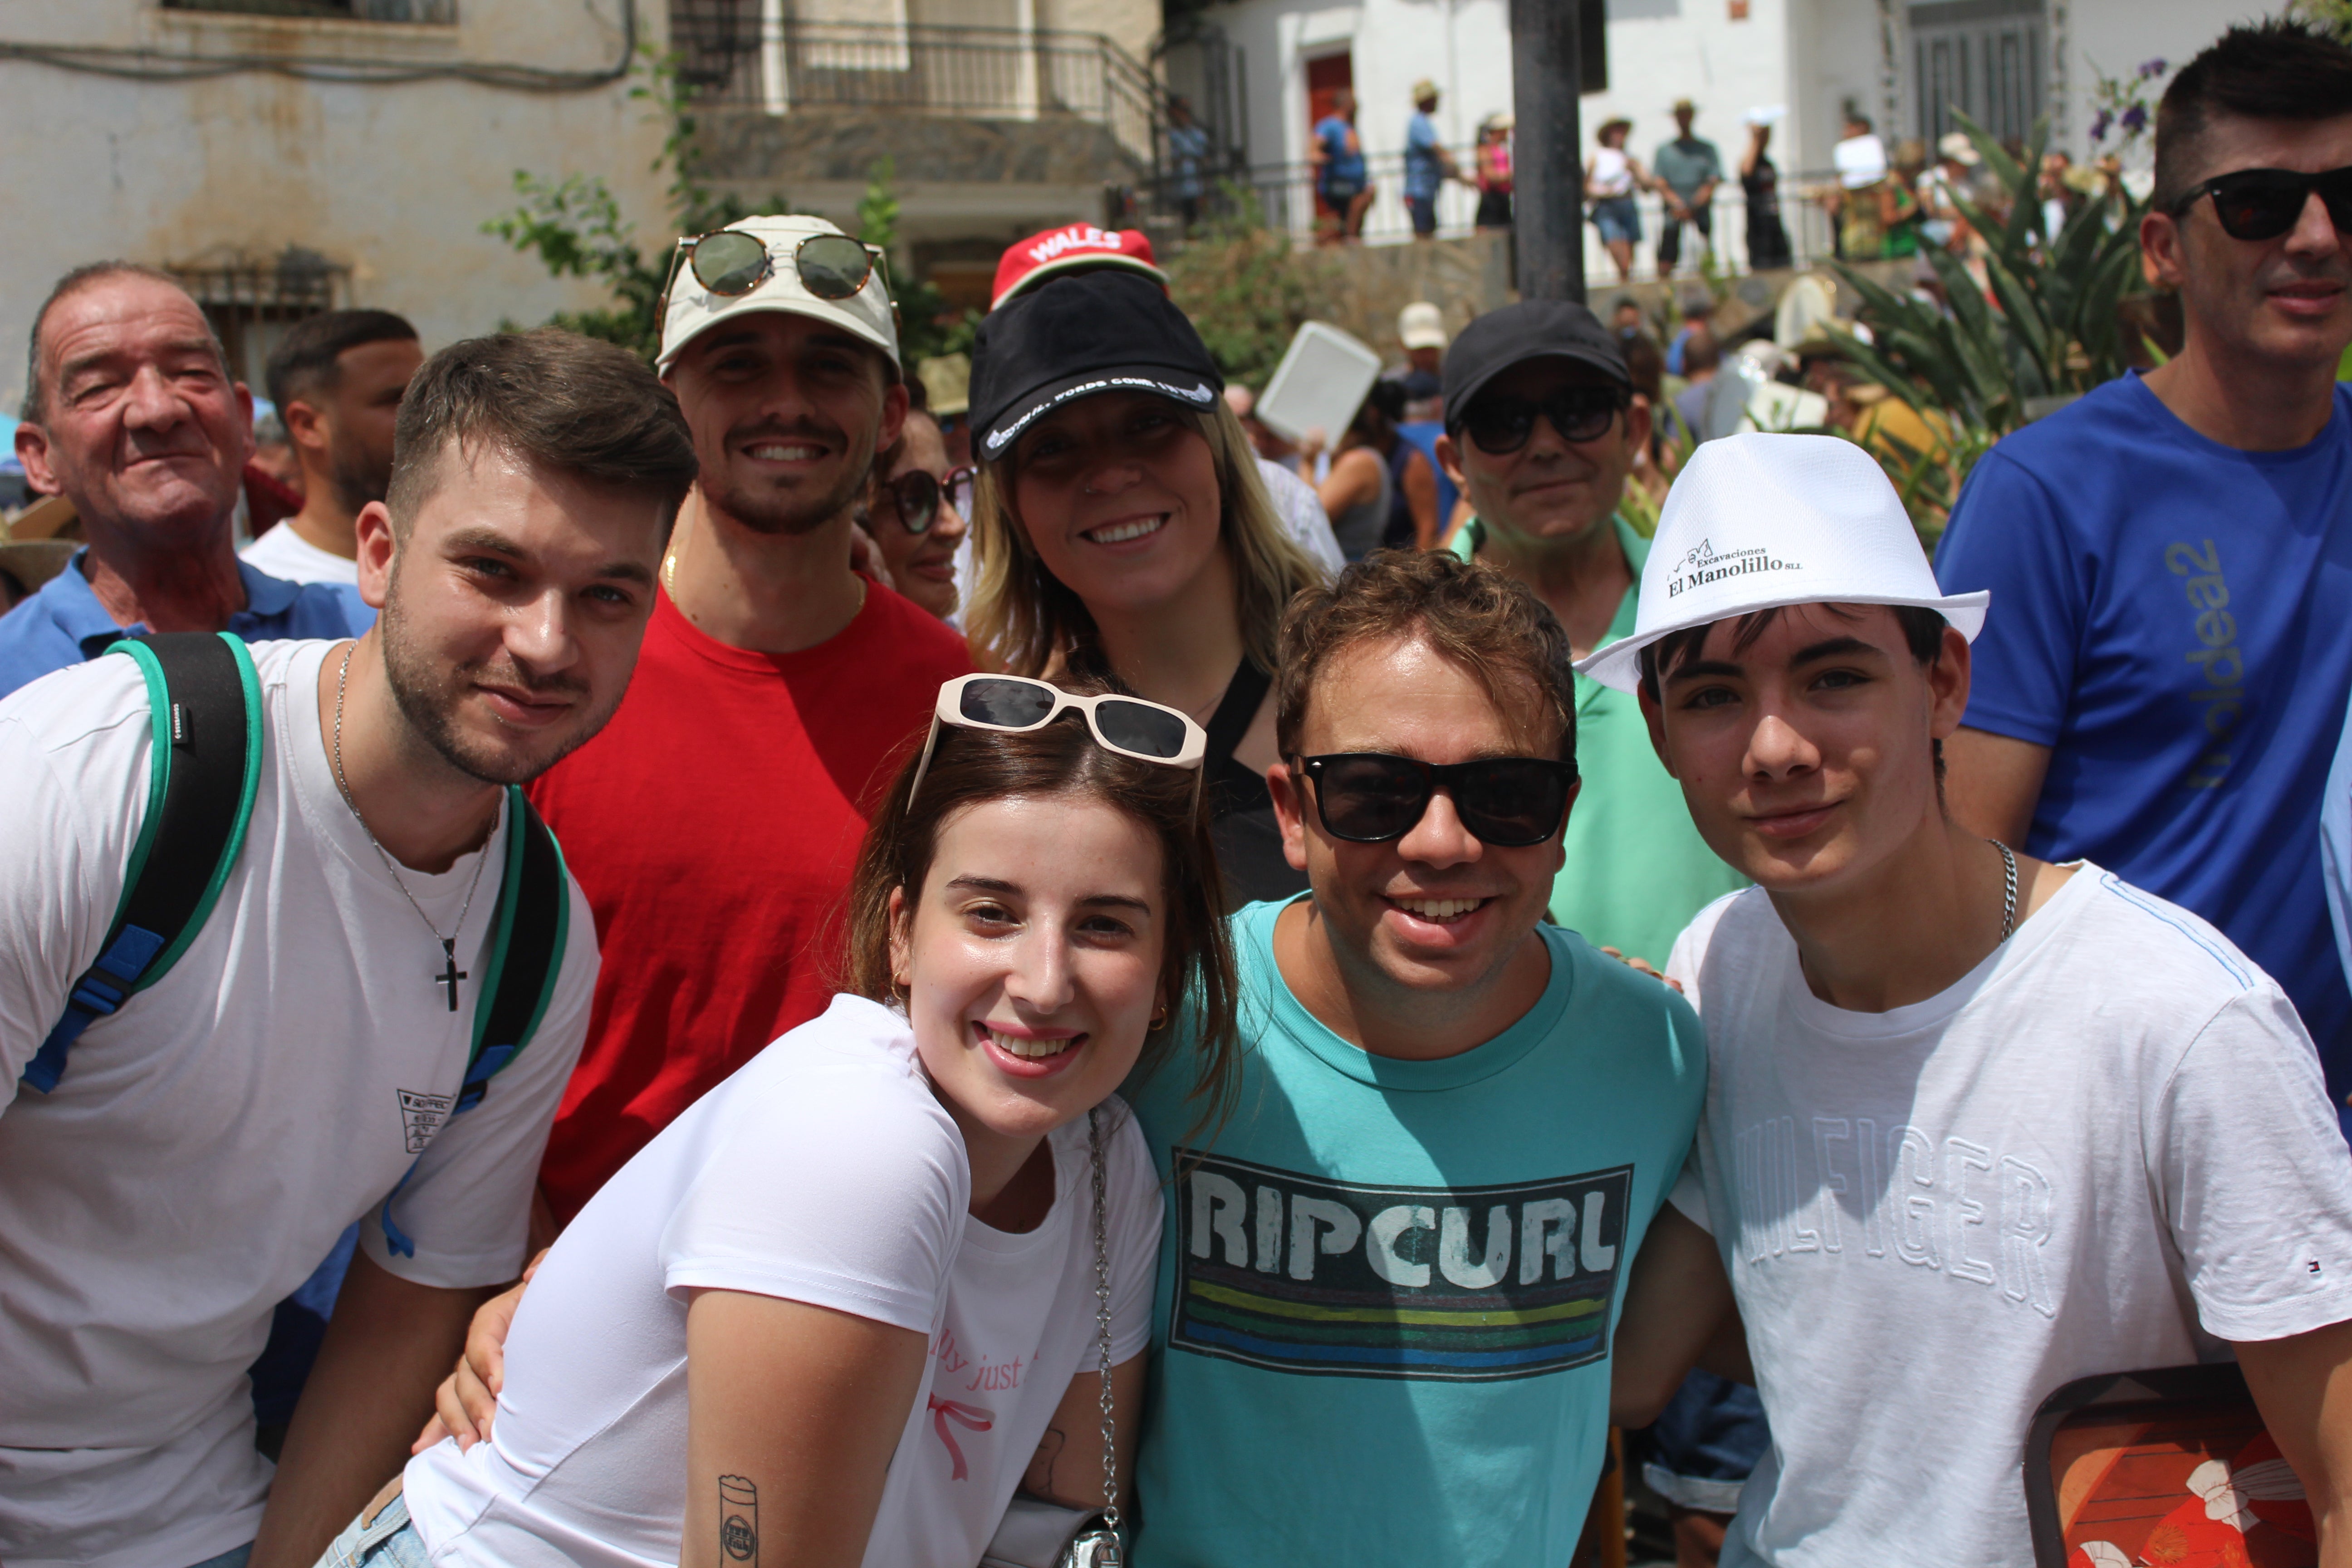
(1638, 869)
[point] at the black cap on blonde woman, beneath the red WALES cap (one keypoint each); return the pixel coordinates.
(1076, 337)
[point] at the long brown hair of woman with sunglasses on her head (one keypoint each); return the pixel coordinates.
(1062, 760)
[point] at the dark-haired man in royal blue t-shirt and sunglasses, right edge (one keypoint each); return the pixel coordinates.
(2172, 556)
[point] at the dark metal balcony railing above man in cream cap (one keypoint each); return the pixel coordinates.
(735, 55)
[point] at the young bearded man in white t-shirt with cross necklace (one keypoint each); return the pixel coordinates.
(295, 1071)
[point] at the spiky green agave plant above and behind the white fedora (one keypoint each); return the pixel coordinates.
(1986, 368)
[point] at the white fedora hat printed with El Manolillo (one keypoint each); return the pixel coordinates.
(1765, 521)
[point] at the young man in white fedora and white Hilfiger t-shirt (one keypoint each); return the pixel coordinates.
(1977, 1125)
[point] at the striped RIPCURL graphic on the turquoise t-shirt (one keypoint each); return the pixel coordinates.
(1459, 1285)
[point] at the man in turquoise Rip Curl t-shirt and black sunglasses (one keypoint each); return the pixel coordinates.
(1391, 1278)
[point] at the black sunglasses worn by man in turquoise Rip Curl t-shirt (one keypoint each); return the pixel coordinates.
(1370, 798)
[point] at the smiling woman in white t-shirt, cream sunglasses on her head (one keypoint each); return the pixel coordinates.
(862, 1292)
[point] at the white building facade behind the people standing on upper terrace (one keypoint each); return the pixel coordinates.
(1902, 62)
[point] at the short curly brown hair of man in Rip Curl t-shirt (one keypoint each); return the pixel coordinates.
(1469, 612)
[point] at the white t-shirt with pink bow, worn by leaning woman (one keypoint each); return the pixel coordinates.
(824, 1172)
